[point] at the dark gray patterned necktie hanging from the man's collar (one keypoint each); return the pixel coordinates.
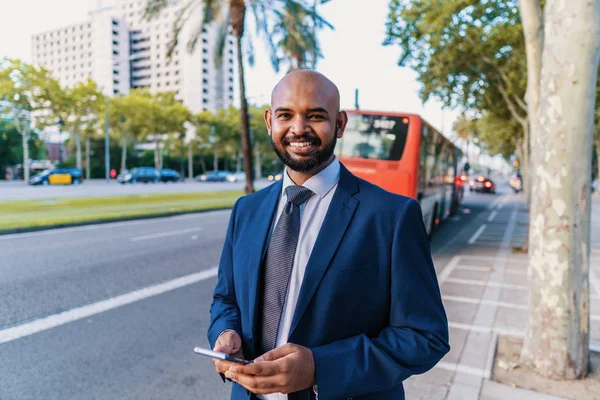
(278, 264)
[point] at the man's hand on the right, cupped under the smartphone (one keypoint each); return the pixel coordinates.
(286, 369)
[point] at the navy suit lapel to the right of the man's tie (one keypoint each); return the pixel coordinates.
(332, 231)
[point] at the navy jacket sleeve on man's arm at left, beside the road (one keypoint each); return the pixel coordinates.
(224, 311)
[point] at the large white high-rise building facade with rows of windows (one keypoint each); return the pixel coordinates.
(119, 49)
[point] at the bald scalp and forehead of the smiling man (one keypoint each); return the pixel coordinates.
(306, 84)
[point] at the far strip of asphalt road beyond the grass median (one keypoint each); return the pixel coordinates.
(17, 190)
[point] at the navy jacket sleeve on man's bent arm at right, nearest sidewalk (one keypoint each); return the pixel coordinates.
(417, 335)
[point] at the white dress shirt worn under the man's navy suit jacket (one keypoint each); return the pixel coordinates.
(312, 214)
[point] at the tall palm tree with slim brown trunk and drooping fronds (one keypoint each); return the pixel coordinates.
(232, 14)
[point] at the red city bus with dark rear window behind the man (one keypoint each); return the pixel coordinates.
(403, 154)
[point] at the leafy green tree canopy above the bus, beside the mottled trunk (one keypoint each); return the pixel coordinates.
(467, 53)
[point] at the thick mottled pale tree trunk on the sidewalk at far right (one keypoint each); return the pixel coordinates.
(557, 339)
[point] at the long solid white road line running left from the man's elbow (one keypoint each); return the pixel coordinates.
(65, 317)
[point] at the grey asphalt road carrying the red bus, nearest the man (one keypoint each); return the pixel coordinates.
(141, 349)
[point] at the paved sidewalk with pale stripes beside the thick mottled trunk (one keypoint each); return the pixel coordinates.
(485, 292)
